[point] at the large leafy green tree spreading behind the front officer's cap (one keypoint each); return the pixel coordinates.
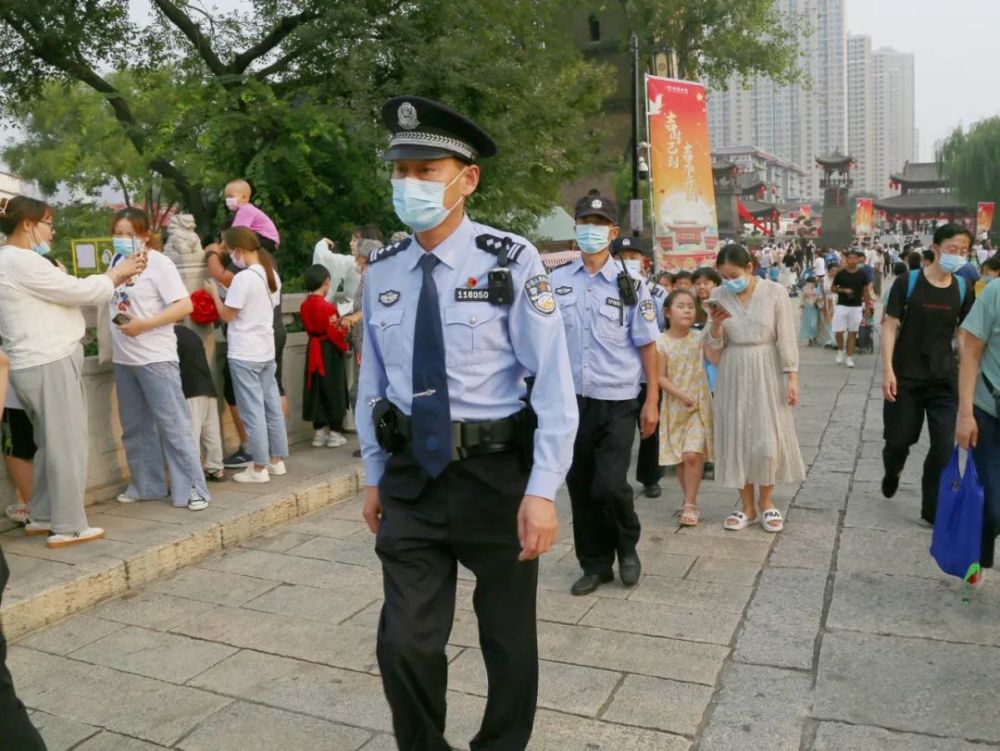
(286, 93)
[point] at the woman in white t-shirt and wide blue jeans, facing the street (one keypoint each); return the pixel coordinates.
(151, 404)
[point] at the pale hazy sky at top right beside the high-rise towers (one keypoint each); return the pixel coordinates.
(956, 50)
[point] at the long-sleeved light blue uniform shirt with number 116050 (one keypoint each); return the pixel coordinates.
(489, 349)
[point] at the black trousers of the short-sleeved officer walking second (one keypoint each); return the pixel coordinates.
(604, 518)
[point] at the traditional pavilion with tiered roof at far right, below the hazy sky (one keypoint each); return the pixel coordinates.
(924, 195)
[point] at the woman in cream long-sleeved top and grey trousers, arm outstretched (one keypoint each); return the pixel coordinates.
(41, 326)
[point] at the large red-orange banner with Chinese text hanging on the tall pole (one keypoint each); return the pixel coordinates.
(685, 229)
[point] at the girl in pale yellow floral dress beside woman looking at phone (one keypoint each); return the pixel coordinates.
(686, 420)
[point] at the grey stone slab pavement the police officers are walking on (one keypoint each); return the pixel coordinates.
(837, 634)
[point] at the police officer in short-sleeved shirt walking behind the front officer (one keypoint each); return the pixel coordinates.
(611, 332)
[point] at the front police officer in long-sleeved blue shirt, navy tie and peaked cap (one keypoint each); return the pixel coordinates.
(465, 416)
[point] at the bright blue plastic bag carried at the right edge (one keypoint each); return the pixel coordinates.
(958, 526)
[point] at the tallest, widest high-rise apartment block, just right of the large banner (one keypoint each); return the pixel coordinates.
(794, 122)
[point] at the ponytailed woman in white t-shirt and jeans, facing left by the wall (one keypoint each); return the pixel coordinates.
(249, 311)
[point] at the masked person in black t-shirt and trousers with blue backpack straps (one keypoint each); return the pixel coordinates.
(925, 308)
